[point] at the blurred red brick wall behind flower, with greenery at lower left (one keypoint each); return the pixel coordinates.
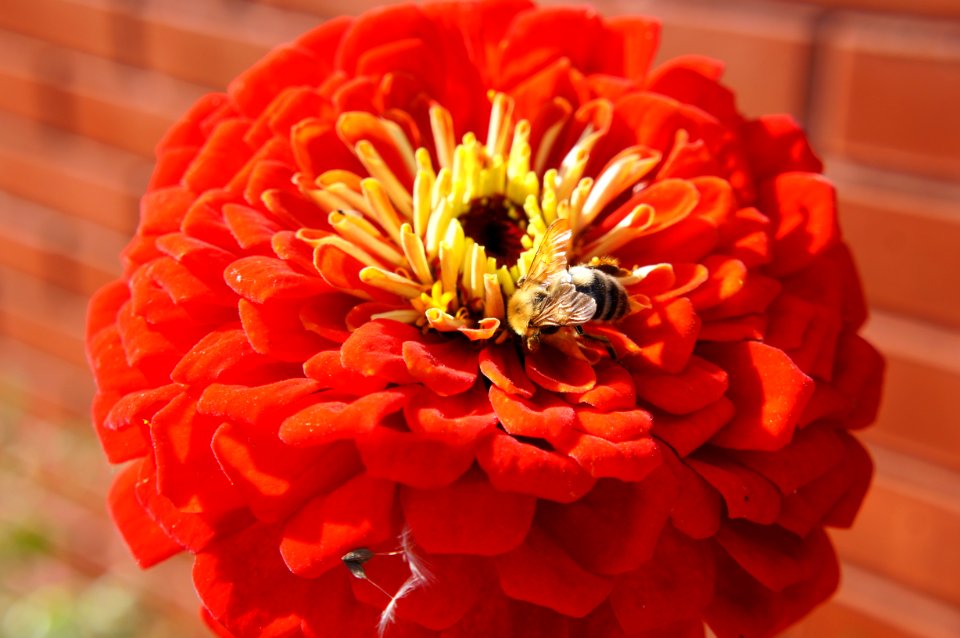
(87, 87)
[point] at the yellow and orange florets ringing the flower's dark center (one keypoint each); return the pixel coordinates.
(454, 245)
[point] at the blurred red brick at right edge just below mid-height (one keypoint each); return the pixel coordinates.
(919, 409)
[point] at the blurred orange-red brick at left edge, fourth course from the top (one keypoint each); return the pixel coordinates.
(66, 251)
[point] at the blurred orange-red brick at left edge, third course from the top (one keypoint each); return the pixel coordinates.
(71, 173)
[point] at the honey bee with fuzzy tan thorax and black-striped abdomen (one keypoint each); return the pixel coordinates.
(553, 295)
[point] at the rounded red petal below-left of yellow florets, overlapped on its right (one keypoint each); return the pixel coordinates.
(376, 349)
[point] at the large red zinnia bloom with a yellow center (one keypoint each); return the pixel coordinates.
(308, 375)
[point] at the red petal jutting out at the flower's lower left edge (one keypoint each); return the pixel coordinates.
(148, 542)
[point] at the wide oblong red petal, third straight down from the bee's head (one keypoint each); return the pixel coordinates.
(518, 467)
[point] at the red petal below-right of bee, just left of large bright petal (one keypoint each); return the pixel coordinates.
(698, 385)
